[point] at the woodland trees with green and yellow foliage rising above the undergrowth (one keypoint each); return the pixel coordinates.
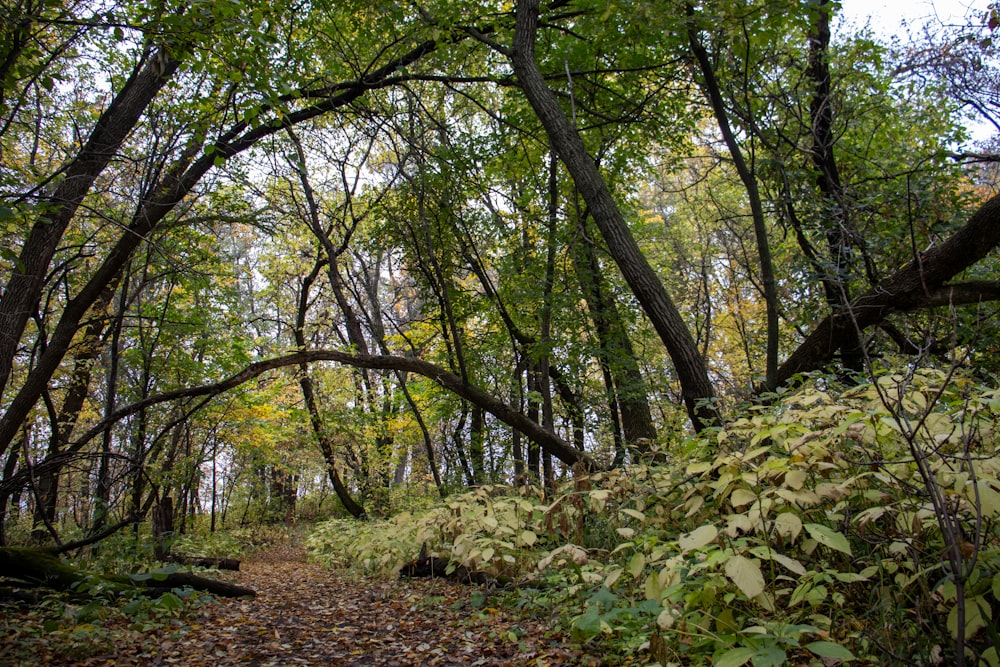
(279, 246)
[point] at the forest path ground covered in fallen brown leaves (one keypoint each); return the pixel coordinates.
(304, 614)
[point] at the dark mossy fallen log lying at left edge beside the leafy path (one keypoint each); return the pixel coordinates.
(44, 568)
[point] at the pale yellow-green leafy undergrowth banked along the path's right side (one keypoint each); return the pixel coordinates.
(801, 534)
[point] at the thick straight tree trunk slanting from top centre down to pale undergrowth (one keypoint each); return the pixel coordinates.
(696, 388)
